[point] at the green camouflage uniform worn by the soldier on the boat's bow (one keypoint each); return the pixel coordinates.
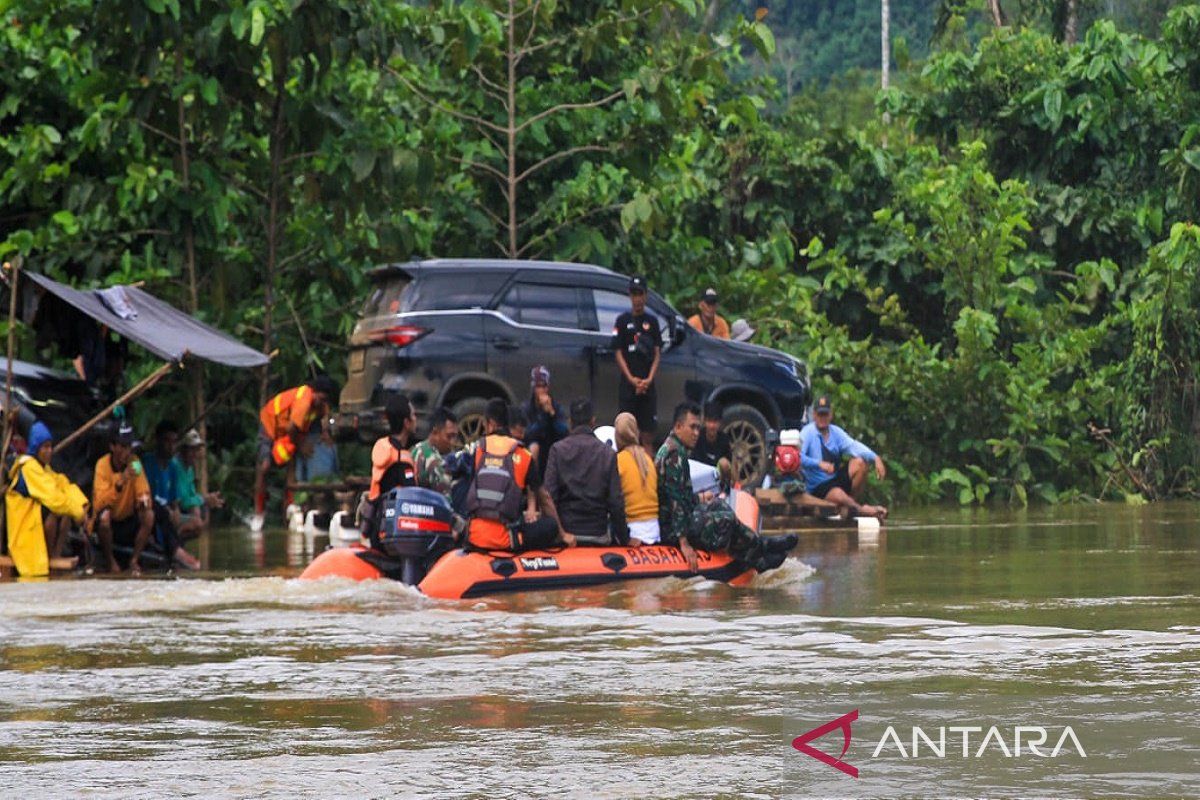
(713, 527)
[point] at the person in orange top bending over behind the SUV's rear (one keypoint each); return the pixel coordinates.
(286, 420)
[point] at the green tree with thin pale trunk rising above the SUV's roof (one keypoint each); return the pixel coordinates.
(550, 110)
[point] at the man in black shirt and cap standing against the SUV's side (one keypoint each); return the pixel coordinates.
(638, 342)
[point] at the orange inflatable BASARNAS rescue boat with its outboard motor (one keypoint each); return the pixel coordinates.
(416, 546)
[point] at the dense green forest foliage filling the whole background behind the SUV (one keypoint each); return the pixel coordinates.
(999, 286)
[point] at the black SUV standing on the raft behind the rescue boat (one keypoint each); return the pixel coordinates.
(458, 333)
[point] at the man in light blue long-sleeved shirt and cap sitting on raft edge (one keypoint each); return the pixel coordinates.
(824, 447)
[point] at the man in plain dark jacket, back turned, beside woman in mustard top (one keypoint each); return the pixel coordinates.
(581, 478)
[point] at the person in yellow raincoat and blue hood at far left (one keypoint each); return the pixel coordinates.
(33, 485)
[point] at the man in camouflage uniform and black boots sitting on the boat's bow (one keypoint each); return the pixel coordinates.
(706, 522)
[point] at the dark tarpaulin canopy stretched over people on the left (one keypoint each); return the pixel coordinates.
(160, 328)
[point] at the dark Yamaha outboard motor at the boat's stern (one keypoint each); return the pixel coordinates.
(416, 530)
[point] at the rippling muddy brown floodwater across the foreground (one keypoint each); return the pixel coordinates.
(244, 683)
